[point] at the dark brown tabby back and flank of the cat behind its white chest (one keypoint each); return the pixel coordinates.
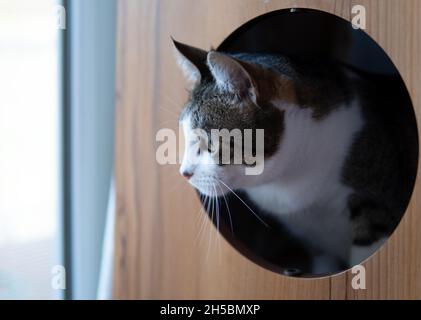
(382, 161)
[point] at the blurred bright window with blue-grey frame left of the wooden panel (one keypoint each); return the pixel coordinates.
(57, 70)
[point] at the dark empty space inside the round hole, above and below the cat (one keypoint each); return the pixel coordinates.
(306, 33)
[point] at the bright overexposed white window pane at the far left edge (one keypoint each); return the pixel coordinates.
(29, 149)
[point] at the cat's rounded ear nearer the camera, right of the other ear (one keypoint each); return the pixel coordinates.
(231, 76)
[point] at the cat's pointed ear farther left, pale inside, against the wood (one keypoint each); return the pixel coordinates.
(192, 61)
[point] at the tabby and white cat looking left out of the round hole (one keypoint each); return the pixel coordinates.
(338, 164)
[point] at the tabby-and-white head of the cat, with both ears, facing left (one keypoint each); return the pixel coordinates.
(230, 98)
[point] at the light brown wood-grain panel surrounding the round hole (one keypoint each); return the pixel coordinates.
(158, 253)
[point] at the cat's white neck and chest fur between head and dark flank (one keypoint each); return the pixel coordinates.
(304, 186)
